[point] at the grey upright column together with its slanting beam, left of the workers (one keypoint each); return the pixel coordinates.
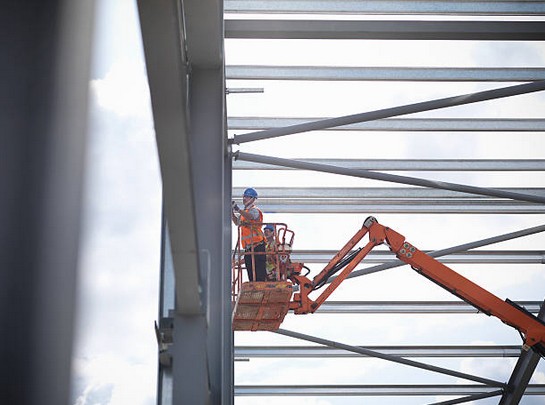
(183, 44)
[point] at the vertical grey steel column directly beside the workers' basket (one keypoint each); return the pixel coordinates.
(208, 152)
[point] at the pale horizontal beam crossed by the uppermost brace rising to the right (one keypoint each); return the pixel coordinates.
(399, 124)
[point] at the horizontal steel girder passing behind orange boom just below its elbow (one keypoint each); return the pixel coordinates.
(471, 257)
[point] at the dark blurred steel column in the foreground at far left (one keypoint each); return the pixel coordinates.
(45, 65)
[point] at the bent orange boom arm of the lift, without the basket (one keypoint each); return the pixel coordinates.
(527, 324)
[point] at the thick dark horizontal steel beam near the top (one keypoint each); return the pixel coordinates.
(387, 29)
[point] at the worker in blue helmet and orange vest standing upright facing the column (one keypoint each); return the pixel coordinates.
(251, 237)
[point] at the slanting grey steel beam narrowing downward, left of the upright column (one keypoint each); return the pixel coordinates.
(167, 67)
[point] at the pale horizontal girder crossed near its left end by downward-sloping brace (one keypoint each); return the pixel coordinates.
(472, 165)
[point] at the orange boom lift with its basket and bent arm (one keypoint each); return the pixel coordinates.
(263, 305)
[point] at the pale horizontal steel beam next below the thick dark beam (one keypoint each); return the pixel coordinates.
(384, 73)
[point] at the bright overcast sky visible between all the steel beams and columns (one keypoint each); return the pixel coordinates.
(115, 357)
